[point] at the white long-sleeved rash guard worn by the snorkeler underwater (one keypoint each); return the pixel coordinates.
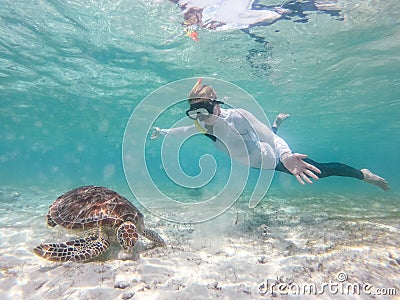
(243, 137)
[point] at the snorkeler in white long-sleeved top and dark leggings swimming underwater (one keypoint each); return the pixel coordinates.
(247, 140)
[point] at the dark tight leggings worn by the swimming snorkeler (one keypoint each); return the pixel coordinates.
(327, 169)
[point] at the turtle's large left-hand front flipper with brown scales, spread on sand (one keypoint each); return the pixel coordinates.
(75, 250)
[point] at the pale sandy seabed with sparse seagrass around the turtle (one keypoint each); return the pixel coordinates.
(243, 254)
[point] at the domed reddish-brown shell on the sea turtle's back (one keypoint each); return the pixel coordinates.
(92, 206)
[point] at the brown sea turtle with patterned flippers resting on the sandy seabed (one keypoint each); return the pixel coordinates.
(102, 215)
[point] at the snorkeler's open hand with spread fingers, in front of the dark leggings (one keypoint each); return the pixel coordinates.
(299, 168)
